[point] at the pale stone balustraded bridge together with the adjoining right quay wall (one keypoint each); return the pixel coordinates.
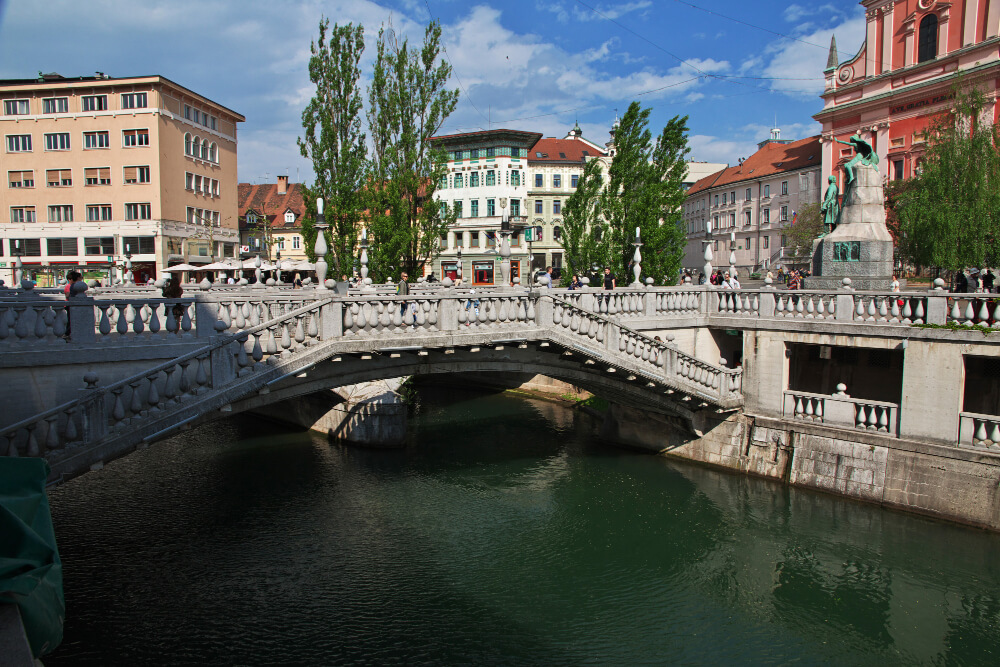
(739, 379)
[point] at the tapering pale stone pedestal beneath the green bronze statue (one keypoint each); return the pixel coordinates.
(860, 248)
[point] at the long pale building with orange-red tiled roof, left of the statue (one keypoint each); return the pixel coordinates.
(756, 201)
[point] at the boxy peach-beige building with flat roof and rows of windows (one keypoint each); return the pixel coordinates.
(100, 167)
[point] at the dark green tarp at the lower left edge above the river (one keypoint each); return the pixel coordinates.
(30, 569)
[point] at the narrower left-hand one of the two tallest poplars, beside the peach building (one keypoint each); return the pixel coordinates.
(334, 142)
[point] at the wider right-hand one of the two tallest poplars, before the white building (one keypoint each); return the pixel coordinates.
(408, 103)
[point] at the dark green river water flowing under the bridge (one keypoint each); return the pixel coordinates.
(505, 533)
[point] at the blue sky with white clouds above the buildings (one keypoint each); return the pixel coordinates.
(734, 67)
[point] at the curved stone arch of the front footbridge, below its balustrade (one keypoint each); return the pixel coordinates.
(329, 366)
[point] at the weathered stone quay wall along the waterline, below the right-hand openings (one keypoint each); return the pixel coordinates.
(945, 482)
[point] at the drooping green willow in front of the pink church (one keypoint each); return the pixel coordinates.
(949, 214)
